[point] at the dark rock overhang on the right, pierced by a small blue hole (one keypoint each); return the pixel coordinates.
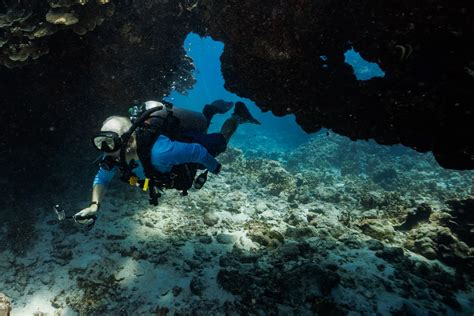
(272, 56)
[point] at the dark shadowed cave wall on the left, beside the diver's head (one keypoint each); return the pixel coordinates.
(51, 105)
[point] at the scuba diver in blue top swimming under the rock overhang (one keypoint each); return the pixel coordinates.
(161, 147)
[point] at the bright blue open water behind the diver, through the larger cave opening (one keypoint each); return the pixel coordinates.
(275, 133)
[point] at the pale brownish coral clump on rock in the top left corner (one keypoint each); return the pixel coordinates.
(25, 27)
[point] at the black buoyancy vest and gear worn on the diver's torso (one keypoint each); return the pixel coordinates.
(174, 123)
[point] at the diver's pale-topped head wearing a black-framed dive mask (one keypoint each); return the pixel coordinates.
(110, 137)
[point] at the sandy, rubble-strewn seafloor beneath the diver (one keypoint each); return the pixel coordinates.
(308, 231)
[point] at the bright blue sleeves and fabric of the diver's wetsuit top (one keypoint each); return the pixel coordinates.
(165, 154)
